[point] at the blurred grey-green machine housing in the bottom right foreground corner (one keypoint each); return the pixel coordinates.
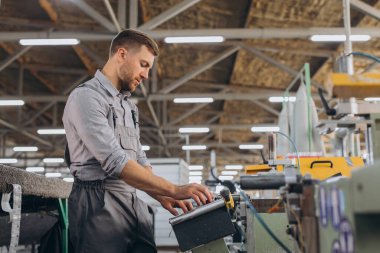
(349, 212)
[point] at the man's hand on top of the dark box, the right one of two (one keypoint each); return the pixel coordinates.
(199, 193)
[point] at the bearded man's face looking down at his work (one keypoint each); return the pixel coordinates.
(134, 68)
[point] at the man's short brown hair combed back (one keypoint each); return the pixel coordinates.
(132, 38)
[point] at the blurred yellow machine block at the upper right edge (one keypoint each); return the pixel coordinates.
(359, 85)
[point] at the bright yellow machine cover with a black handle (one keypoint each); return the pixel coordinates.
(326, 167)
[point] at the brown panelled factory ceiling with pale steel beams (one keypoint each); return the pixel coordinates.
(266, 44)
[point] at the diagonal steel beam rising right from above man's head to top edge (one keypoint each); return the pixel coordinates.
(168, 14)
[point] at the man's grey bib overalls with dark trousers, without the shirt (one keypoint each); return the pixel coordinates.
(105, 215)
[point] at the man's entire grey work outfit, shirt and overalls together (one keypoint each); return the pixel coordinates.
(103, 134)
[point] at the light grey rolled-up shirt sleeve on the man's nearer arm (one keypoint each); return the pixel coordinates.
(88, 116)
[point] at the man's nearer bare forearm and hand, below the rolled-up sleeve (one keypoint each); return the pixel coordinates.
(136, 175)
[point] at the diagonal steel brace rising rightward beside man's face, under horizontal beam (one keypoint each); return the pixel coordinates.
(196, 71)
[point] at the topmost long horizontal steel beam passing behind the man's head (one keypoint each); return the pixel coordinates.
(228, 33)
